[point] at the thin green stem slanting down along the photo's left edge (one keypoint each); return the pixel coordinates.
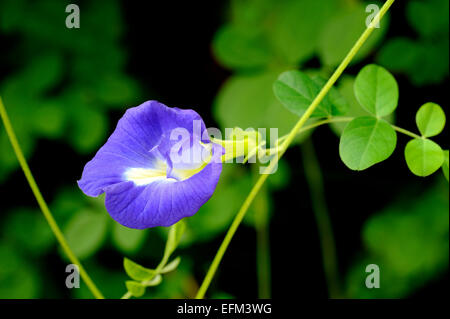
(43, 205)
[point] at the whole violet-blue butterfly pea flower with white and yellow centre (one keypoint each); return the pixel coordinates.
(158, 166)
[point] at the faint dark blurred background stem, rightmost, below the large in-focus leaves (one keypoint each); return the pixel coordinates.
(313, 175)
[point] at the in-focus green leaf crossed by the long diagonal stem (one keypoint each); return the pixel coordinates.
(296, 90)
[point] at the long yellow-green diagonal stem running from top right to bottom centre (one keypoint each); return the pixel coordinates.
(240, 215)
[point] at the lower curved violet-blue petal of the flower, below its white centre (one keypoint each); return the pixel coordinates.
(163, 203)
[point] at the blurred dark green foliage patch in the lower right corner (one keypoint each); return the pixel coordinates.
(409, 241)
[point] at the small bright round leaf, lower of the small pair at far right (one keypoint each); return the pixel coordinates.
(423, 156)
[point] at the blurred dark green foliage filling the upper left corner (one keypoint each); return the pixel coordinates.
(64, 80)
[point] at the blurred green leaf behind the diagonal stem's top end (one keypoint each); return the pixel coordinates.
(343, 30)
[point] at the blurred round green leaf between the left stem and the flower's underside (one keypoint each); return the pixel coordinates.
(85, 232)
